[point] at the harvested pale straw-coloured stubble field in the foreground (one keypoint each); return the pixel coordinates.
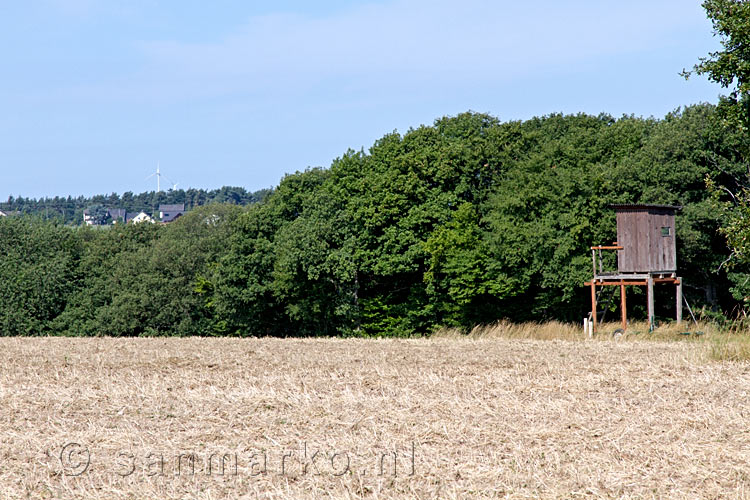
(465, 417)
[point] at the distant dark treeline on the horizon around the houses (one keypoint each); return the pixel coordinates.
(69, 210)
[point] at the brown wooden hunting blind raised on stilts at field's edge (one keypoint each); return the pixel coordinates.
(646, 255)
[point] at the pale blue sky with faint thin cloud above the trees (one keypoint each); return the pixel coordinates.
(93, 93)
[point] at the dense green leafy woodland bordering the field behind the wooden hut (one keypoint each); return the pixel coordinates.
(466, 221)
